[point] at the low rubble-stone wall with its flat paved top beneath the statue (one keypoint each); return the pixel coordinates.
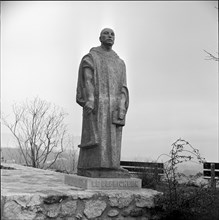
(35, 194)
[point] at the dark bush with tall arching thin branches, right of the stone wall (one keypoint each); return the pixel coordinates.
(180, 201)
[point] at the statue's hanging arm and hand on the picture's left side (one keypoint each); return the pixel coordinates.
(89, 88)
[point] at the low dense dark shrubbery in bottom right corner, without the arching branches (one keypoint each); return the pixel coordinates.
(192, 204)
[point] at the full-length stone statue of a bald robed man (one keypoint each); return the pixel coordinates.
(102, 92)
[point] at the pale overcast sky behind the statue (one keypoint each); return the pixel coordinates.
(173, 88)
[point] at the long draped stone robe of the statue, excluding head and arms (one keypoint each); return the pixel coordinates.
(101, 135)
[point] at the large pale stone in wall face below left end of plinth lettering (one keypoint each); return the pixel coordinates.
(94, 208)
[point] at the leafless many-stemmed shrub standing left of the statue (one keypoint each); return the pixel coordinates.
(39, 130)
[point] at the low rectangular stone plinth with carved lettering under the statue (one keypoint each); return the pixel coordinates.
(103, 183)
